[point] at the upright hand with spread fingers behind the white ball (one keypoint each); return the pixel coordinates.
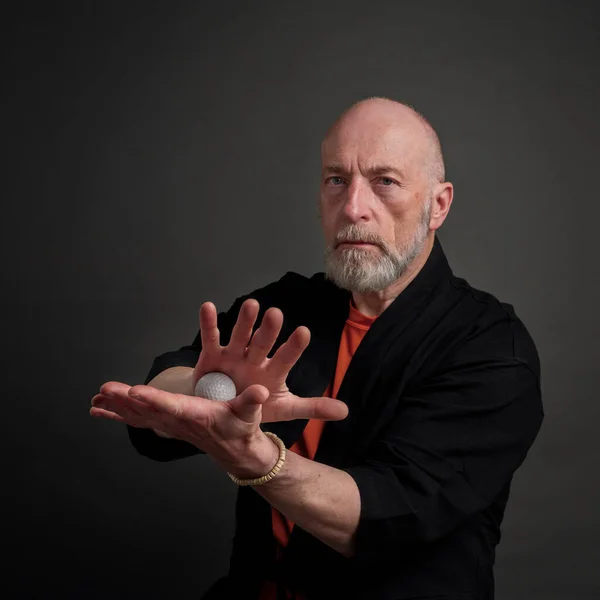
(245, 360)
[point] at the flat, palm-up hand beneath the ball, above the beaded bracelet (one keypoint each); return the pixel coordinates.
(227, 431)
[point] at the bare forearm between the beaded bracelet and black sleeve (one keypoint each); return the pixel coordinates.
(321, 499)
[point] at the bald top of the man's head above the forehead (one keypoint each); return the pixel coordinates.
(378, 116)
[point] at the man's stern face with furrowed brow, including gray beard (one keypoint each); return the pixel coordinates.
(375, 202)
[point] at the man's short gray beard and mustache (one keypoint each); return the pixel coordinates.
(357, 270)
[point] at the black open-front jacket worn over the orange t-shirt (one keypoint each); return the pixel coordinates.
(444, 403)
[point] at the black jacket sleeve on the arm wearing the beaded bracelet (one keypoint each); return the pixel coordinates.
(453, 445)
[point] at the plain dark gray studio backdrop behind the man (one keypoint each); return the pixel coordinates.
(163, 154)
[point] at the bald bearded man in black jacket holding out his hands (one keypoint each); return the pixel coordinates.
(406, 398)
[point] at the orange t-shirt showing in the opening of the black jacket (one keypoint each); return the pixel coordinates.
(354, 330)
